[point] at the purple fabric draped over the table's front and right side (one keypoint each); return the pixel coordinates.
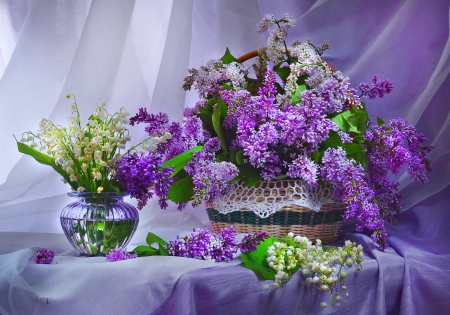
(410, 277)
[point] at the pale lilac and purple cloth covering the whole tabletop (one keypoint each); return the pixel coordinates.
(410, 277)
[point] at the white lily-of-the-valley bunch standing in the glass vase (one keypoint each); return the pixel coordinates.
(87, 154)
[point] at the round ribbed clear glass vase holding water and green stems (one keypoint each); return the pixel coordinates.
(96, 223)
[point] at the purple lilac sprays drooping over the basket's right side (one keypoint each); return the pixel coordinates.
(369, 194)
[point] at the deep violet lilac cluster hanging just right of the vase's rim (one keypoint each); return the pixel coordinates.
(143, 176)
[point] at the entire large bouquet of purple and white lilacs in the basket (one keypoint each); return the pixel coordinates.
(289, 116)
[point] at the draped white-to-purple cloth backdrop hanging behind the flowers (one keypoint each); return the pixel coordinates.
(136, 54)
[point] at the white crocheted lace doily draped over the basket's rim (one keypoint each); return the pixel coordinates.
(268, 197)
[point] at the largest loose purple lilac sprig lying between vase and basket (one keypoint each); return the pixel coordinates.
(202, 244)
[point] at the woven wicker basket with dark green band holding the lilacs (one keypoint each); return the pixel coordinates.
(324, 224)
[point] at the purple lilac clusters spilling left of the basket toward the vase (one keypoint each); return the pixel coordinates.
(144, 176)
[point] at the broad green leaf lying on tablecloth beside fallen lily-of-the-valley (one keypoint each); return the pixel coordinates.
(256, 260)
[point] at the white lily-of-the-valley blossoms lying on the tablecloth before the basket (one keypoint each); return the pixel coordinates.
(325, 267)
